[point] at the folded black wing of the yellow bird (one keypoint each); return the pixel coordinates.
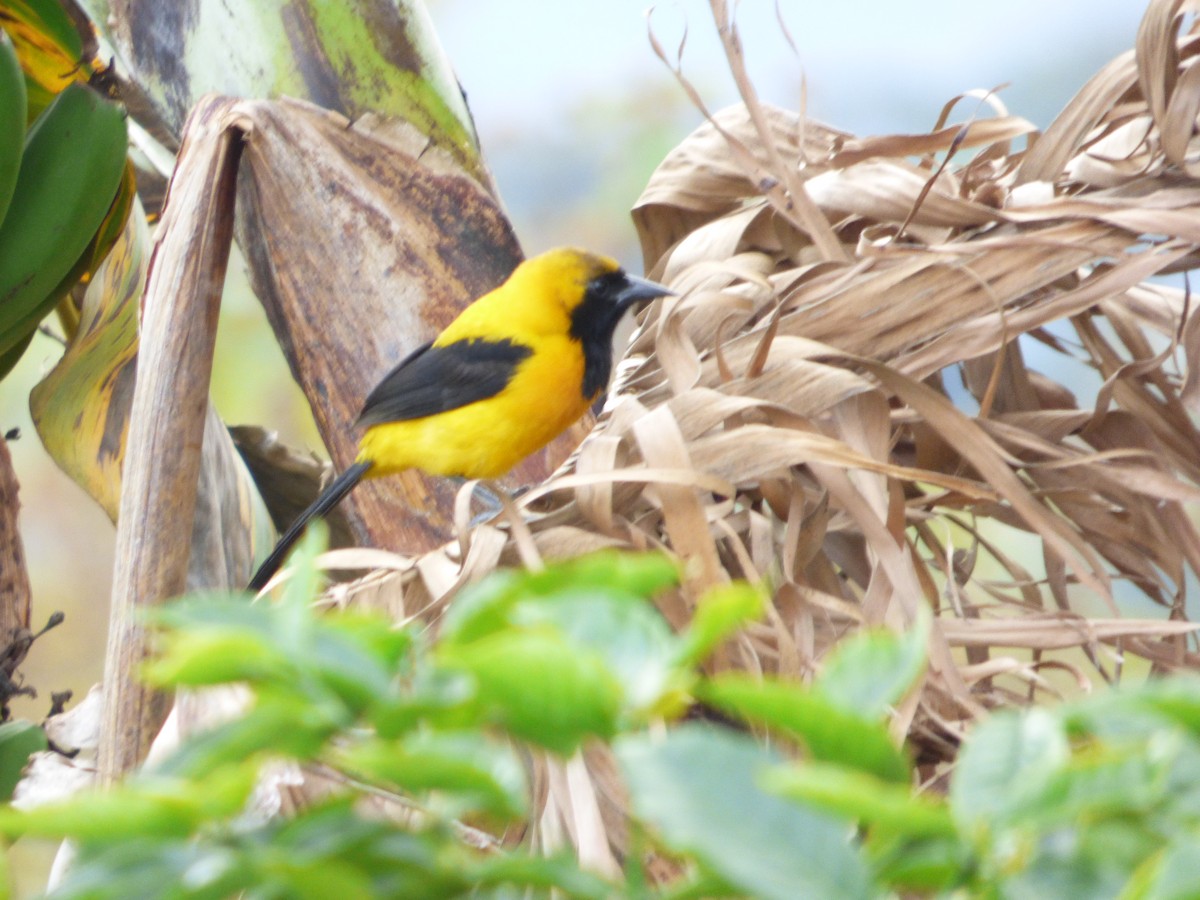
(436, 380)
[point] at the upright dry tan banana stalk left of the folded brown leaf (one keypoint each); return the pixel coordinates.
(163, 464)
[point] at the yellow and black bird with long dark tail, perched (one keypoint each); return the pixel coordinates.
(514, 370)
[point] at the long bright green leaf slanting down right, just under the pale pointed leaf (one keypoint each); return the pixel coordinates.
(827, 731)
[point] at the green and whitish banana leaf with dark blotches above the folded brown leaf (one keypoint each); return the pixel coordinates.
(353, 58)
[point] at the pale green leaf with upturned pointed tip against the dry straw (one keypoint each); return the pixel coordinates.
(873, 670)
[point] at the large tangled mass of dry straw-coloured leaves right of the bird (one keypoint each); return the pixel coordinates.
(899, 424)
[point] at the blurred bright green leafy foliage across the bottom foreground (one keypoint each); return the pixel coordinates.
(1096, 799)
